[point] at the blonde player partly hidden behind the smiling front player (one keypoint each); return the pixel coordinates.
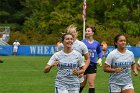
(77, 45)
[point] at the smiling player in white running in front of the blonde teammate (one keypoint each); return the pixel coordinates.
(70, 64)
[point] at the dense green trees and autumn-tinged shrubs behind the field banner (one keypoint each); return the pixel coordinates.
(43, 21)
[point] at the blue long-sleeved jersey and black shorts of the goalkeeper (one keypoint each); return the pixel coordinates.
(93, 49)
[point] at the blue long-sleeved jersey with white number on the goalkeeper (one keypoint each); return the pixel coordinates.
(93, 49)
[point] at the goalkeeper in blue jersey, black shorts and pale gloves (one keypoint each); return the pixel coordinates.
(93, 49)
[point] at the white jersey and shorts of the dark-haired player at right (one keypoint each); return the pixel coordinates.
(120, 81)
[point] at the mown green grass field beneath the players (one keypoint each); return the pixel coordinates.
(24, 74)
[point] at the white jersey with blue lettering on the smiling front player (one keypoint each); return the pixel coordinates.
(68, 62)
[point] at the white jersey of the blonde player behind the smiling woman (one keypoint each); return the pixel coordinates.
(77, 45)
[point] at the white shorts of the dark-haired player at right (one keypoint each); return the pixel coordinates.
(119, 88)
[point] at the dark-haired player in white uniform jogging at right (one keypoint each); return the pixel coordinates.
(119, 63)
